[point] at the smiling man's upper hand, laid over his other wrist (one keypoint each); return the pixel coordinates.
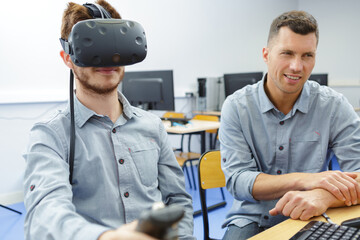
(341, 184)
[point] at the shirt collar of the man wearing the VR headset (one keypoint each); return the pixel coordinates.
(83, 114)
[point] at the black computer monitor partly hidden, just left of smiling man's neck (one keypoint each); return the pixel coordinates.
(235, 81)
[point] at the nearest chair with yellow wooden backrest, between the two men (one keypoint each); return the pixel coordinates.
(210, 176)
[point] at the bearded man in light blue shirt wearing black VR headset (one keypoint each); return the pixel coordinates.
(122, 160)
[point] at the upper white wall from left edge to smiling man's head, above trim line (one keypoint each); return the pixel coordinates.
(194, 38)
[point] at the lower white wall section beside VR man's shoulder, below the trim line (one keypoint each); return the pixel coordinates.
(16, 121)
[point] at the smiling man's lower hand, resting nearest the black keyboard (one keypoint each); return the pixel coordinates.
(303, 204)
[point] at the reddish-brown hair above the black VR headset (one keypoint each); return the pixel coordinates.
(75, 13)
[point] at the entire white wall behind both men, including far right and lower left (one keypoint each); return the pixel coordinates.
(203, 38)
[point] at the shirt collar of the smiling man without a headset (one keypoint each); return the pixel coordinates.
(301, 104)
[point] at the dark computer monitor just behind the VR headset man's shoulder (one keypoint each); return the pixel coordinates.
(149, 90)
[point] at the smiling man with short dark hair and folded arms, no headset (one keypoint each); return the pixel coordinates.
(277, 136)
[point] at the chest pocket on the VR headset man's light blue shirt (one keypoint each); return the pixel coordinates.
(146, 156)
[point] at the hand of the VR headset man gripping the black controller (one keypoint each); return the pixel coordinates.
(125, 232)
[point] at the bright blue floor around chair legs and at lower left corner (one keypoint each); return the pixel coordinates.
(11, 223)
